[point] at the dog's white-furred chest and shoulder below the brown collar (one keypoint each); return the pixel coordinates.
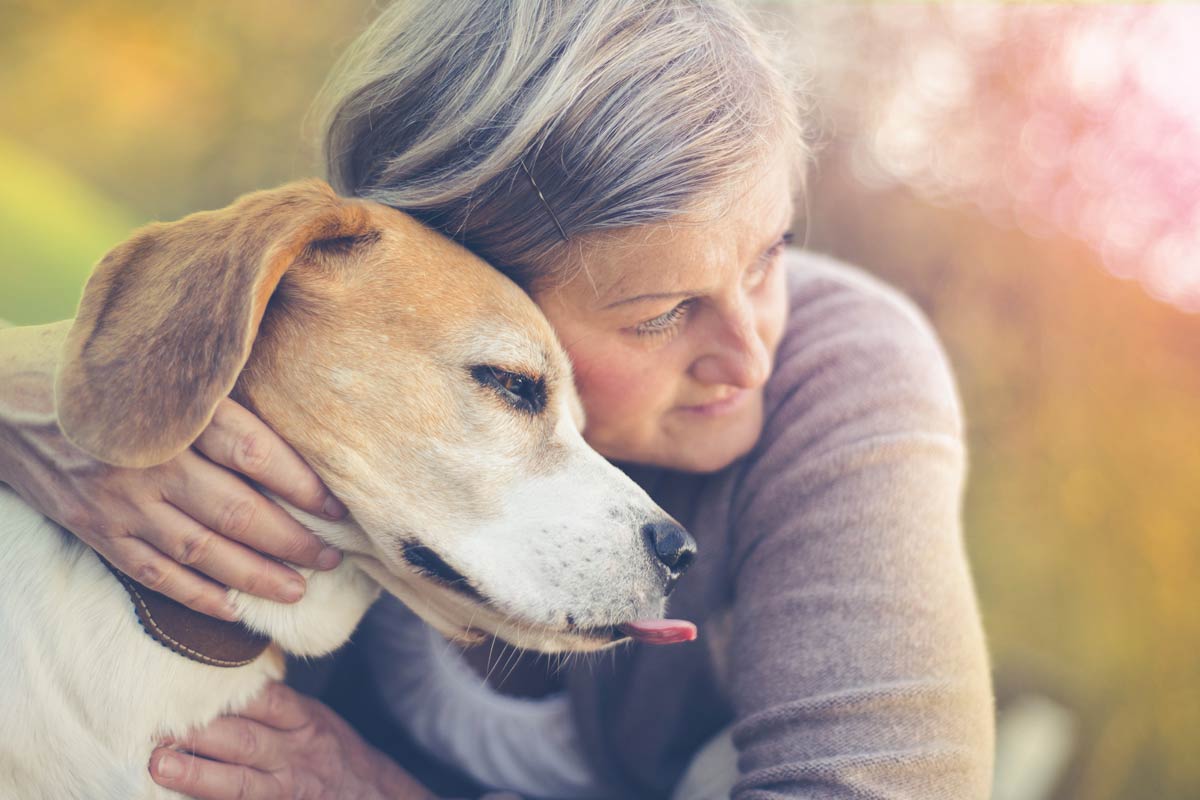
(86, 693)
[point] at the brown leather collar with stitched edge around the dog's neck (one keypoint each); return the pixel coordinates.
(190, 634)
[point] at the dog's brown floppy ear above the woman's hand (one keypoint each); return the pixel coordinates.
(169, 318)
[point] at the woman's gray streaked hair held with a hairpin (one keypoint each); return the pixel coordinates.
(616, 112)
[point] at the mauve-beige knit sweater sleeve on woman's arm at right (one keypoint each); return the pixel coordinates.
(859, 660)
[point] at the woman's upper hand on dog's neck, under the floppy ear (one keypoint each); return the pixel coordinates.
(188, 528)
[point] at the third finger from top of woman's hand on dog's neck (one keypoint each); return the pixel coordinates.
(237, 567)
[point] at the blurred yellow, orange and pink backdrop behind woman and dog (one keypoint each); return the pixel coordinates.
(1030, 176)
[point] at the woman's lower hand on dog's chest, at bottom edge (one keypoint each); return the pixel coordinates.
(284, 745)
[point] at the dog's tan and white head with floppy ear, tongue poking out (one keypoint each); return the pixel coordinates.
(424, 387)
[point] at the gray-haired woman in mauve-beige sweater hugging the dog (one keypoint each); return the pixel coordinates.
(634, 166)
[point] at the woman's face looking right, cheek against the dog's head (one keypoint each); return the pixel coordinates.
(673, 329)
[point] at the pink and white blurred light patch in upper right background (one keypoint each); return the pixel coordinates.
(1081, 121)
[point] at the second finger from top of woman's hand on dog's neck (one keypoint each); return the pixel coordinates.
(224, 503)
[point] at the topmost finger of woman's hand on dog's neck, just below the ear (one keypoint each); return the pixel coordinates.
(245, 444)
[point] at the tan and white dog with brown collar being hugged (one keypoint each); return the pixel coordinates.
(424, 388)
